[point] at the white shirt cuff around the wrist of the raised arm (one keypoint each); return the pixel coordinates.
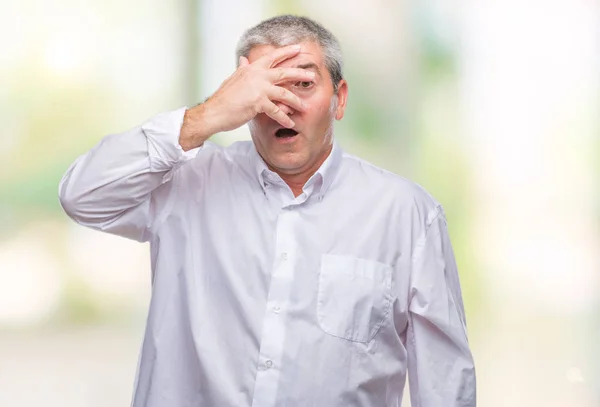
(162, 133)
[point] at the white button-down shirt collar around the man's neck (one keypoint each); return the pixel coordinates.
(323, 177)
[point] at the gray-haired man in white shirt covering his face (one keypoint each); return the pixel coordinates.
(285, 272)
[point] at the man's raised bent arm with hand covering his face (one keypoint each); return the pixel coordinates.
(122, 185)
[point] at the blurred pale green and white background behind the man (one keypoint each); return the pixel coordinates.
(492, 105)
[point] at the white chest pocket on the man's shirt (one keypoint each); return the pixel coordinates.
(354, 296)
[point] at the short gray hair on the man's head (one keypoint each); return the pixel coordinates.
(286, 30)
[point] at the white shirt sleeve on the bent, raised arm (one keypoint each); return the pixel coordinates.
(121, 186)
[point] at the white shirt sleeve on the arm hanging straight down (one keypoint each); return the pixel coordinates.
(440, 365)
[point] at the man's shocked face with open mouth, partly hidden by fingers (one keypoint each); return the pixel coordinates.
(304, 152)
